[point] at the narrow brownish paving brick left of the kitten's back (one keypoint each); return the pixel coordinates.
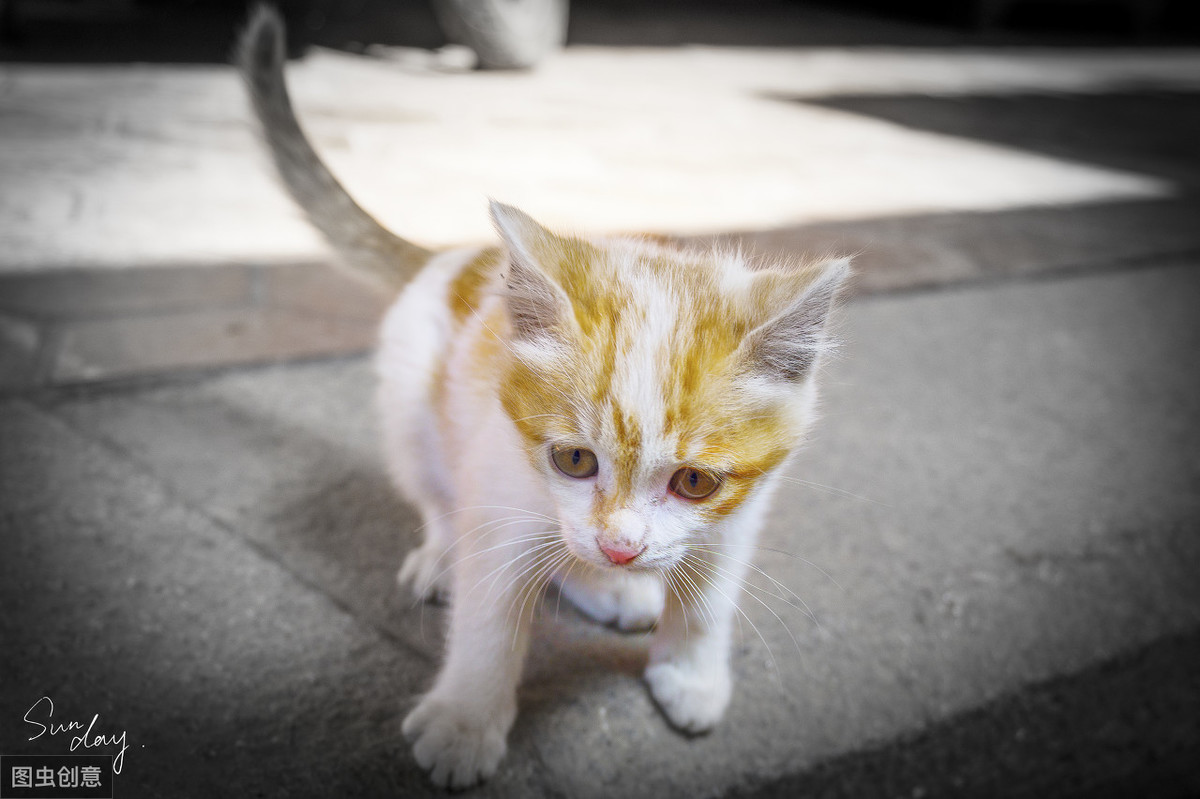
(127, 346)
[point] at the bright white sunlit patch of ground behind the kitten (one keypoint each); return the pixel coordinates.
(121, 166)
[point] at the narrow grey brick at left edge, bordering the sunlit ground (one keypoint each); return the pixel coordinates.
(81, 295)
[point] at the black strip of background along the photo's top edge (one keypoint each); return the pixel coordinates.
(181, 32)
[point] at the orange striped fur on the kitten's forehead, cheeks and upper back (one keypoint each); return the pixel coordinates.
(653, 369)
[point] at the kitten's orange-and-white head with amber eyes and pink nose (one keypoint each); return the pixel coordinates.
(656, 391)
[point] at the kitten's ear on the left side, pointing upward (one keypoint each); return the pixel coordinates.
(538, 308)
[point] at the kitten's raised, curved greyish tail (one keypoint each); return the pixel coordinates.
(365, 245)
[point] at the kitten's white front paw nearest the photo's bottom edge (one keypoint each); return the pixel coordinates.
(458, 744)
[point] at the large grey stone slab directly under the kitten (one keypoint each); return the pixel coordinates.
(1013, 483)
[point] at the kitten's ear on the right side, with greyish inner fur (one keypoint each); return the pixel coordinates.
(787, 347)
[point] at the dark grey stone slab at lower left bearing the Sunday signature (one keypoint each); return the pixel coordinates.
(225, 671)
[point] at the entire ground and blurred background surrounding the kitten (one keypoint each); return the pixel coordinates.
(197, 539)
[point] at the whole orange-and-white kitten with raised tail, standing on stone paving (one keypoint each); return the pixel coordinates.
(611, 416)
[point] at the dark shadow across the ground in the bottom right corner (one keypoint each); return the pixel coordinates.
(1123, 729)
